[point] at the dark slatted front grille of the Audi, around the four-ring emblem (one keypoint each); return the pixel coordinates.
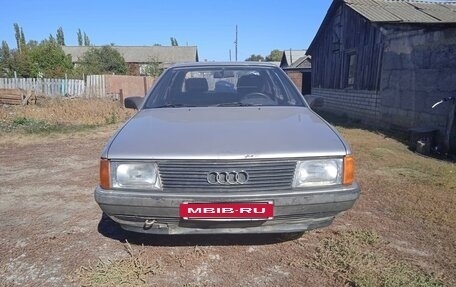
(263, 175)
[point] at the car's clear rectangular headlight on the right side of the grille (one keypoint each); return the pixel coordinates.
(319, 172)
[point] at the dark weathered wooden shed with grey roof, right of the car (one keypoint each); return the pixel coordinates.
(385, 62)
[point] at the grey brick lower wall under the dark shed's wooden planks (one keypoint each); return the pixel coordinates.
(361, 105)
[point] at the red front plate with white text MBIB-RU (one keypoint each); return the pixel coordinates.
(227, 211)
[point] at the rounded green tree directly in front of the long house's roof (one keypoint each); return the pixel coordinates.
(102, 61)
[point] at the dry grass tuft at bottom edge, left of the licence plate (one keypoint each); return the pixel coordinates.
(134, 270)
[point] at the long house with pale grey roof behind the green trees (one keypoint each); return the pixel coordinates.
(137, 57)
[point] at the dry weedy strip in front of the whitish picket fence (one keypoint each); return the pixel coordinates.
(60, 115)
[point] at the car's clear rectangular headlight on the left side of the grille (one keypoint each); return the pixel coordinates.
(135, 175)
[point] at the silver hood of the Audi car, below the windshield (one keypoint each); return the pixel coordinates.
(225, 133)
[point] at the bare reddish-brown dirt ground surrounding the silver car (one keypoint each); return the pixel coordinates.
(53, 233)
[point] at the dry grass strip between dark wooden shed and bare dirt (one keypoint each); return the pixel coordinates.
(415, 186)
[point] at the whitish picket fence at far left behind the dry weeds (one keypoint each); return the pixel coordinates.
(94, 86)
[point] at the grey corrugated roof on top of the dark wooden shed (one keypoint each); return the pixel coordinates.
(405, 11)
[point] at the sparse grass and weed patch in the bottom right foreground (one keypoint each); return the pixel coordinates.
(356, 258)
